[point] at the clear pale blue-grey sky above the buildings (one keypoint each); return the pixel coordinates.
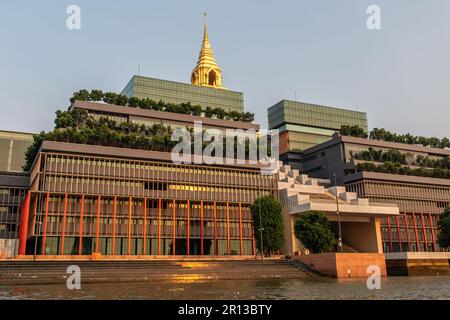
(317, 51)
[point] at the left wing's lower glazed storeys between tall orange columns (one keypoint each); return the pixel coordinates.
(83, 225)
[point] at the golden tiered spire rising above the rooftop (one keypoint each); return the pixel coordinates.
(207, 73)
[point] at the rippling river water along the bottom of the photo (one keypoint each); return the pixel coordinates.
(314, 288)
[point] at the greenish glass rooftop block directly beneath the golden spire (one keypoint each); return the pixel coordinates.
(176, 92)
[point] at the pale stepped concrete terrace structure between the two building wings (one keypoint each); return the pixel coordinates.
(359, 220)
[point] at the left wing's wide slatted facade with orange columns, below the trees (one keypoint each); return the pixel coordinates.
(87, 199)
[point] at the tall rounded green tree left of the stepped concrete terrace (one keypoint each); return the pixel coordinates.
(270, 211)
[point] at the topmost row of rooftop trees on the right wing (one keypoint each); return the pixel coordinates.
(384, 135)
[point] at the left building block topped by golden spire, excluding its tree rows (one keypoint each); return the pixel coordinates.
(97, 200)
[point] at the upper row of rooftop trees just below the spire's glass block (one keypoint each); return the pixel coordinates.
(149, 104)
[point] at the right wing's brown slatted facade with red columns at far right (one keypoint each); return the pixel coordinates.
(420, 199)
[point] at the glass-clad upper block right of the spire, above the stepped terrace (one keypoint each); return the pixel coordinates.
(302, 125)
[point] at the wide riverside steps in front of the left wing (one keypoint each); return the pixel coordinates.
(54, 272)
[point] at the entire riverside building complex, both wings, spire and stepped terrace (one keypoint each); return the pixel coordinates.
(93, 200)
